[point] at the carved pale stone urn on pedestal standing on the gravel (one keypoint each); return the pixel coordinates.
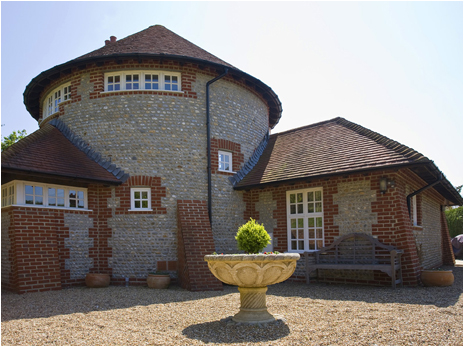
(252, 273)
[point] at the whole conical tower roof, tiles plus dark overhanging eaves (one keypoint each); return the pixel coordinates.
(155, 42)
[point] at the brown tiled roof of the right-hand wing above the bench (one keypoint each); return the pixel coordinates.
(336, 147)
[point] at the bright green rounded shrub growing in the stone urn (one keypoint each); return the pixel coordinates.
(252, 237)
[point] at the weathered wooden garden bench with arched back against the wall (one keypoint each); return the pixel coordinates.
(357, 251)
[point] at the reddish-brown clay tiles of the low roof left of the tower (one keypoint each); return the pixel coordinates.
(48, 152)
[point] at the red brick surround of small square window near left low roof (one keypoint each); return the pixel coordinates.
(123, 194)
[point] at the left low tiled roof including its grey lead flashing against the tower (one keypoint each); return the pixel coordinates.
(48, 154)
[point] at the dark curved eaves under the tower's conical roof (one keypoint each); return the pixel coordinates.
(34, 89)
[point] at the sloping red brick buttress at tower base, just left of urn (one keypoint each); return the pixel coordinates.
(195, 240)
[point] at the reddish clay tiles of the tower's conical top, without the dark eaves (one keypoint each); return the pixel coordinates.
(155, 40)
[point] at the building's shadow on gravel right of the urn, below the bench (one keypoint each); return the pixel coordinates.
(438, 296)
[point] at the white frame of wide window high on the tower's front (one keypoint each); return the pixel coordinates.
(165, 81)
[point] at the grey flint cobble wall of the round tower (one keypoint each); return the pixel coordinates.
(165, 136)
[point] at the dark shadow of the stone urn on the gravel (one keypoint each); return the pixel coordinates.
(226, 332)
